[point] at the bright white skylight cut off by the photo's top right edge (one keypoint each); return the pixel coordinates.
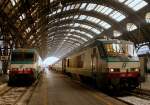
(136, 4)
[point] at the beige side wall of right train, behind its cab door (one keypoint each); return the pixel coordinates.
(79, 63)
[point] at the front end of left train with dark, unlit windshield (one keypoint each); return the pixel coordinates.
(22, 66)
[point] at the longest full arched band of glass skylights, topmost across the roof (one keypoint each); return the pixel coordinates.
(114, 14)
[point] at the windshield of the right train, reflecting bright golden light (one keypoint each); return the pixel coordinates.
(125, 49)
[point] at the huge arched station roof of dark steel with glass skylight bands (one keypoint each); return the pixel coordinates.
(58, 27)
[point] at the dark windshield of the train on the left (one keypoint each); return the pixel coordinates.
(22, 57)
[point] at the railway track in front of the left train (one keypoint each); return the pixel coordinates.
(17, 95)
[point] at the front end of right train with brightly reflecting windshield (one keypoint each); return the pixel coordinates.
(123, 65)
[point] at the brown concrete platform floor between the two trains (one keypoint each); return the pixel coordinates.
(57, 89)
